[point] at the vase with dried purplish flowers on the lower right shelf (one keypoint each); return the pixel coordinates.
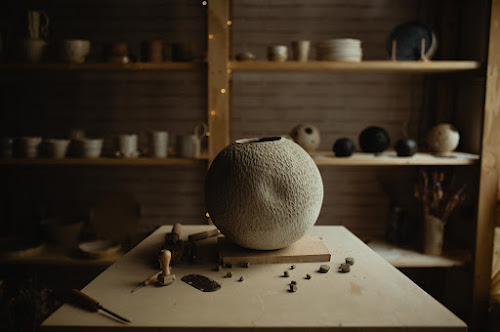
(439, 196)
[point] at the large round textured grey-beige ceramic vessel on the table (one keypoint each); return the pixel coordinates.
(264, 193)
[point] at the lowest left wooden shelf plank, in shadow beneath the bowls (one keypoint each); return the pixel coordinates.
(53, 255)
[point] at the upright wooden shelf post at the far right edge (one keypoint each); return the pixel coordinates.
(488, 181)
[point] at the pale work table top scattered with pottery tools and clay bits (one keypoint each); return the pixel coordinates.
(374, 296)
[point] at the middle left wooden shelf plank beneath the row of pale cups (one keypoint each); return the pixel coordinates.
(103, 161)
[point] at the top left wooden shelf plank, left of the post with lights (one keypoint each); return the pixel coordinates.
(136, 66)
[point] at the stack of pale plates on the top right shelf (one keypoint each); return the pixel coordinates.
(339, 49)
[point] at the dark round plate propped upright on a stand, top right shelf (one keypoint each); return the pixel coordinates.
(408, 37)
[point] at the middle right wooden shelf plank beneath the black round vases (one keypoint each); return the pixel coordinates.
(390, 158)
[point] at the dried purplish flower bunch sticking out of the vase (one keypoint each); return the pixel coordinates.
(438, 194)
